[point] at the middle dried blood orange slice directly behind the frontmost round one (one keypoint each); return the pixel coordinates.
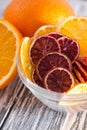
(51, 61)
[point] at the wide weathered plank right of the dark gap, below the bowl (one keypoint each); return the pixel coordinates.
(28, 113)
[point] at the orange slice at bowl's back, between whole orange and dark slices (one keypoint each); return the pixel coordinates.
(45, 29)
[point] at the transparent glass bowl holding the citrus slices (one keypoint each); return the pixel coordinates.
(54, 100)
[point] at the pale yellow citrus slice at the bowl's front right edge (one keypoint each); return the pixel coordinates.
(79, 89)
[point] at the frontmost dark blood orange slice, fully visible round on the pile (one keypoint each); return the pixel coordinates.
(59, 80)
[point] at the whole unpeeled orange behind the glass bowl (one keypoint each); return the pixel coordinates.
(29, 15)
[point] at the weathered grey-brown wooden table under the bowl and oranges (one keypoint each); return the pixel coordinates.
(20, 110)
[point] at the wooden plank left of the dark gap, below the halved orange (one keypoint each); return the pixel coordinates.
(8, 97)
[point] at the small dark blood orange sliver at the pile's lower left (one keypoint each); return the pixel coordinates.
(37, 80)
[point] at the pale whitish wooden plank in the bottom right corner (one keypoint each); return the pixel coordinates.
(76, 121)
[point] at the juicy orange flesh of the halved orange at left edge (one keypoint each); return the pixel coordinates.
(6, 58)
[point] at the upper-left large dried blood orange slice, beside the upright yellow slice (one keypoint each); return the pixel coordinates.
(42, 46)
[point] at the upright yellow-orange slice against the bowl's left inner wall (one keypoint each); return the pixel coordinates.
(26, 64)
